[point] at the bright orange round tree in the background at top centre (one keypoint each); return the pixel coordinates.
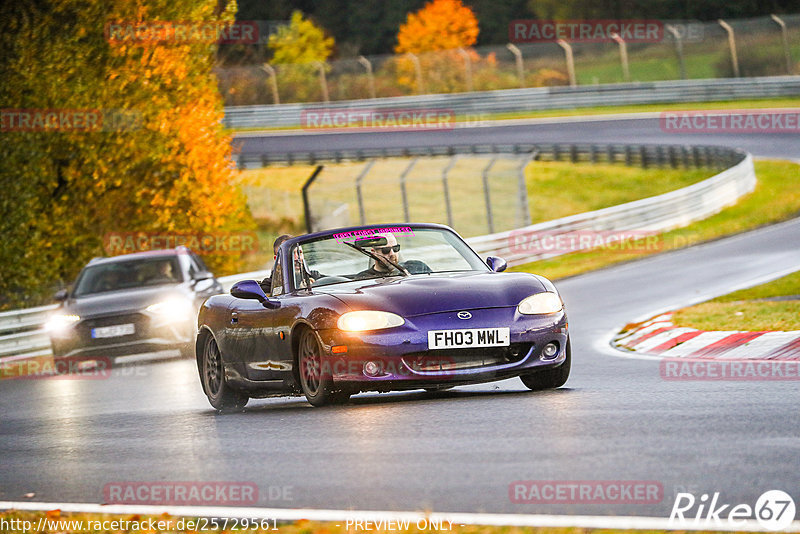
(434, 34)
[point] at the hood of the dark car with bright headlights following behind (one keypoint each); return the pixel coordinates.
(122, 301)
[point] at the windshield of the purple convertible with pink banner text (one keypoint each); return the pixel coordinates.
(380, 252)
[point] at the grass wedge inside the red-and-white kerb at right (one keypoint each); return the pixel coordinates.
(741, 310)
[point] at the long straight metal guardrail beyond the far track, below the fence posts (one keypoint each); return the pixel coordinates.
(477, 104)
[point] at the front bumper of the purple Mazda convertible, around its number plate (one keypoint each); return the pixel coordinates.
(404, 361)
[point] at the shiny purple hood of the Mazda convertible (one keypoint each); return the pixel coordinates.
(424, 294)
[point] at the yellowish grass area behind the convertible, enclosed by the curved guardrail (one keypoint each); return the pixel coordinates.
(555, 189)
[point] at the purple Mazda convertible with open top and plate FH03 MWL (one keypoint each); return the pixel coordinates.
(379, 308)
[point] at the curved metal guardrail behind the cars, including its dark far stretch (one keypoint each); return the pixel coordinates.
(22, 334)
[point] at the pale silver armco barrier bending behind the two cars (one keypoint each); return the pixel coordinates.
(22, 334)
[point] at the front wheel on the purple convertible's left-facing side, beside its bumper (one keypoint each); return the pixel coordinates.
(315, 380)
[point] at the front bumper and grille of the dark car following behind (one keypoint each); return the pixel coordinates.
(150, 335)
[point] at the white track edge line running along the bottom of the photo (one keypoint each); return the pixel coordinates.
(457, 518)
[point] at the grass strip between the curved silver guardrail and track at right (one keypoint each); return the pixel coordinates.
(775, 198)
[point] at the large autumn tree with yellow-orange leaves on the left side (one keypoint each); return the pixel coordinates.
(166, 169)
